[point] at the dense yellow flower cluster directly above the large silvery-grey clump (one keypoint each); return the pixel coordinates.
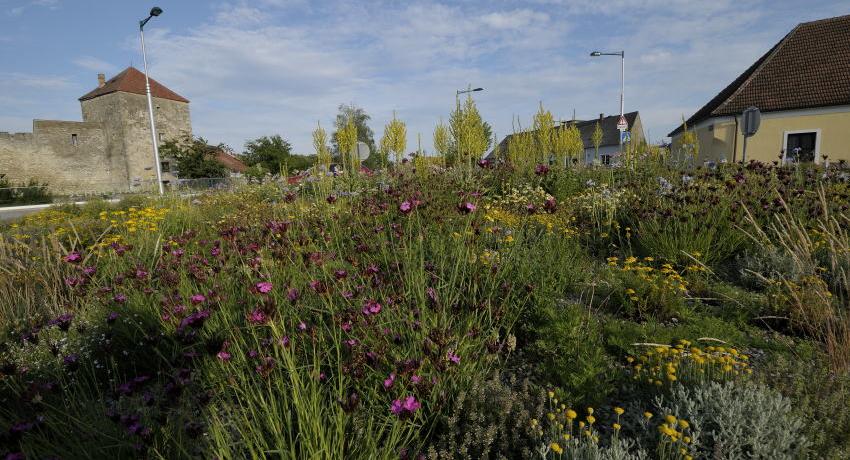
(682, 360)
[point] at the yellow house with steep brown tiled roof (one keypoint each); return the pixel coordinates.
(801, 86)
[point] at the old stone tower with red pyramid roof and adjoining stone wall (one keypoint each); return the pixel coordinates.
(110, 150)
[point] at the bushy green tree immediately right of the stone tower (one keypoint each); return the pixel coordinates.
(194, 157)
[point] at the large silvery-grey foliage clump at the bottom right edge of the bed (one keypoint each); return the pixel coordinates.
(737, 421)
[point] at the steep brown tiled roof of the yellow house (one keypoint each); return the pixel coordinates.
(808, 68)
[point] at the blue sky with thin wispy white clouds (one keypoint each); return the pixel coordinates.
(263, 67)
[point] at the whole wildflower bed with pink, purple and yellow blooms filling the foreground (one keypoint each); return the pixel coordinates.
(437, 309)
